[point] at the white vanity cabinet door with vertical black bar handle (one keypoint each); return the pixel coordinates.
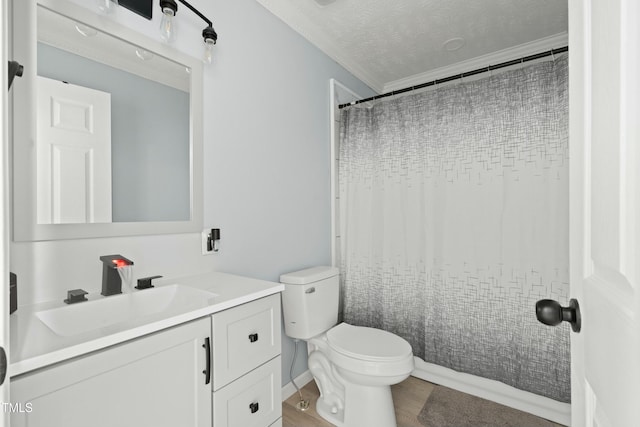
(156, 380)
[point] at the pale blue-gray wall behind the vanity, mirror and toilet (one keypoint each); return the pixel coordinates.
(266, 156)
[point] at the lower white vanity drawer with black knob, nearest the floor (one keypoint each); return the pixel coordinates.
(252, 400)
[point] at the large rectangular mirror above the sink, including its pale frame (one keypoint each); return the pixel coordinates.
(107, 129)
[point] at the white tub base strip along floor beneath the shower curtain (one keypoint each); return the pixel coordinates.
(495, 391)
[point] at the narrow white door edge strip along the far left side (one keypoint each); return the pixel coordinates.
(4, 209)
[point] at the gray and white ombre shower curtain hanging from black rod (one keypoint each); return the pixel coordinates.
(453, 219)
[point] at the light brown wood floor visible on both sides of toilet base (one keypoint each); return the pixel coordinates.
(409, 397)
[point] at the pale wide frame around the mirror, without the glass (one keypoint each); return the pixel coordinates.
(25, 226)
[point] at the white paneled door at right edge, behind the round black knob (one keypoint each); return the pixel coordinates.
(604, 69)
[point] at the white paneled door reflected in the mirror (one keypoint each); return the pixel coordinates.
(73, 153)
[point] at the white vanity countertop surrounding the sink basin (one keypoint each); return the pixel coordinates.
(34, 345)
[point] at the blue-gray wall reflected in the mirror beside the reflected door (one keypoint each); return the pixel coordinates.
(149, 130)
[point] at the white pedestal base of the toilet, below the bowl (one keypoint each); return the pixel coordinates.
(364, 406)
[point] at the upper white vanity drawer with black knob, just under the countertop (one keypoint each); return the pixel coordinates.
(245, 337)
